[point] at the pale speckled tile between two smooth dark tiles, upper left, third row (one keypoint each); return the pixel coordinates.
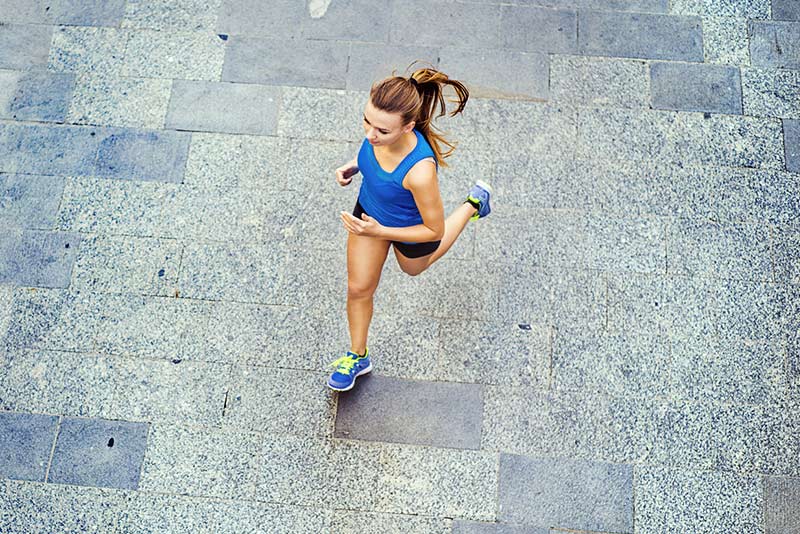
(112, 101)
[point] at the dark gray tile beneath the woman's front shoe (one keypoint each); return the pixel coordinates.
(404, 411)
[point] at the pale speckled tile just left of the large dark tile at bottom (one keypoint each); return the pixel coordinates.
(465, 482)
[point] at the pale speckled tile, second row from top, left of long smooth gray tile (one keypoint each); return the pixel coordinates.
(186, 55)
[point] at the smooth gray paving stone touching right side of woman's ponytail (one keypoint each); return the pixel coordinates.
(487, 80)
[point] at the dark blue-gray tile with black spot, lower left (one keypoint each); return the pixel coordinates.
(100, 453)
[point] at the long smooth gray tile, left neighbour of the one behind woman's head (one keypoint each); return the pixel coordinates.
(302, 63)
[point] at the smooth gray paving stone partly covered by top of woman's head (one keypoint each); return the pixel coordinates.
(370, 62)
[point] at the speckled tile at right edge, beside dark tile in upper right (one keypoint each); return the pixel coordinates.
(771, 93)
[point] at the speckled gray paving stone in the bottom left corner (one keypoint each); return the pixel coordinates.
(37, 507)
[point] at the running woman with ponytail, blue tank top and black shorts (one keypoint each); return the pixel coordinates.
(399, 203)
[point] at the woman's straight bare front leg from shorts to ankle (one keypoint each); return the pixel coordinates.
(365, 259)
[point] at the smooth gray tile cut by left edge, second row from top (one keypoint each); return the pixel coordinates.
(24, 47)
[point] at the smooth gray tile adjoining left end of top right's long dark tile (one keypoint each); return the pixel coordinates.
(536, 29)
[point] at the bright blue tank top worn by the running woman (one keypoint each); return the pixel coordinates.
(382, 194)
